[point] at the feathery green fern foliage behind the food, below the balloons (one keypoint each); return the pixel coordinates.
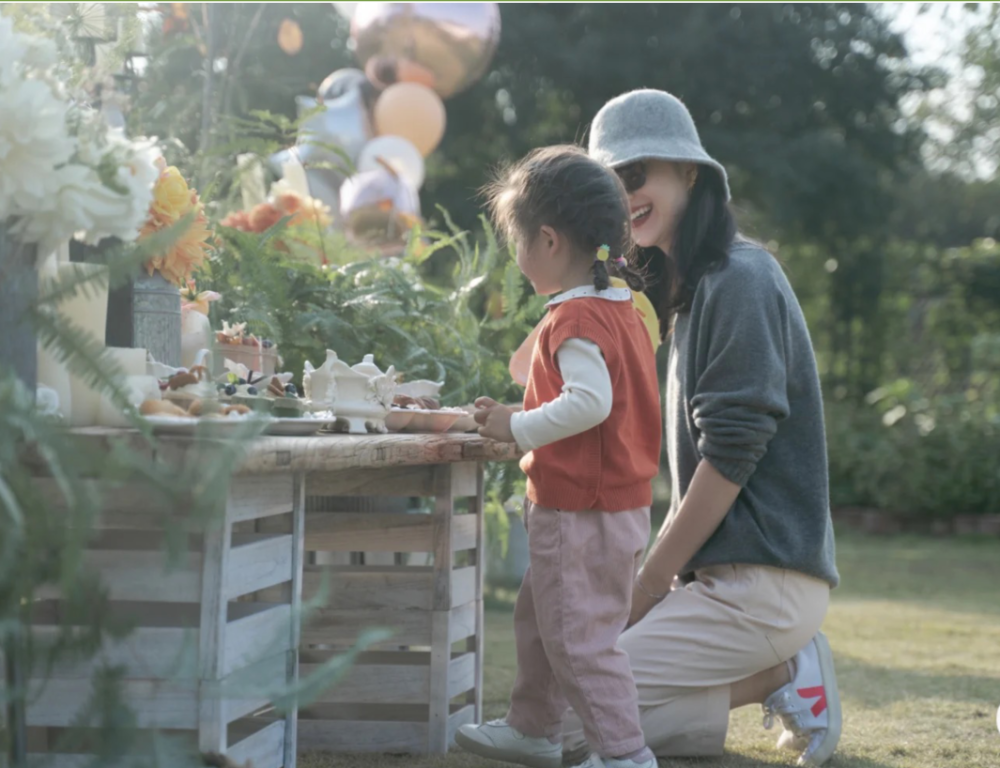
(386, 307)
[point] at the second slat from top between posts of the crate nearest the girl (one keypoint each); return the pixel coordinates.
(365, 532)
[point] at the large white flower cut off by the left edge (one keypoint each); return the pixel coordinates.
(33, 141)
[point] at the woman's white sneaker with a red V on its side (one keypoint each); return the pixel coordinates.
(809, 706)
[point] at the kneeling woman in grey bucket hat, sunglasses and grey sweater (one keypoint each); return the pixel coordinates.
(748, 543)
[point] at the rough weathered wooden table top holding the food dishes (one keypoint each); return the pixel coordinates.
(316, 453)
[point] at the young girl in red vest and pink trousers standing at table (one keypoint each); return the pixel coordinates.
(590, 425)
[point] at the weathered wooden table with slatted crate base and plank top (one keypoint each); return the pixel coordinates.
(232, 602)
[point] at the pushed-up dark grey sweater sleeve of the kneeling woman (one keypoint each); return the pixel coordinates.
(741, 384)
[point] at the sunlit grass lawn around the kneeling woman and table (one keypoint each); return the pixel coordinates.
(915, 629)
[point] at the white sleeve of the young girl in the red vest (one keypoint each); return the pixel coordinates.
(585, 401)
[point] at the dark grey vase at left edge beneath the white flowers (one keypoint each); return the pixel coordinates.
(18, 293)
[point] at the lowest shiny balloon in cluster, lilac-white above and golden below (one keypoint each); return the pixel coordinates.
(378, 206)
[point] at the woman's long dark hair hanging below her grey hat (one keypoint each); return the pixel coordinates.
(701, 244)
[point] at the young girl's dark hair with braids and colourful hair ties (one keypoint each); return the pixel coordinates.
(561, 187)
